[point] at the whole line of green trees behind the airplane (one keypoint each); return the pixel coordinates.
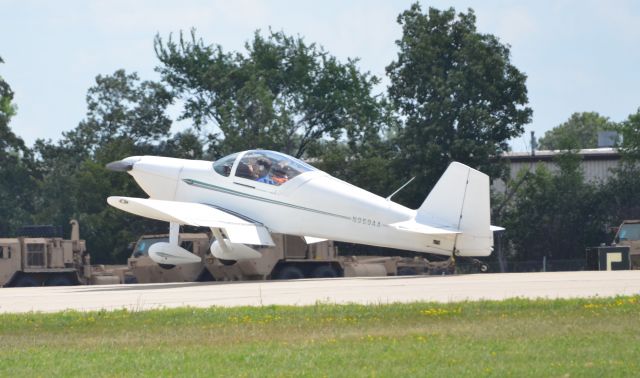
(453, 96)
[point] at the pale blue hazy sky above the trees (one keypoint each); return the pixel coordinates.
(578, 55)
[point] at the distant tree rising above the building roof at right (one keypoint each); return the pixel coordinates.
(579, 131)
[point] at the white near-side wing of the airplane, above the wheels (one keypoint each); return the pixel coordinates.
(237, 229)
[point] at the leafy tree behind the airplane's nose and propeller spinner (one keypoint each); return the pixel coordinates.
(125, 117)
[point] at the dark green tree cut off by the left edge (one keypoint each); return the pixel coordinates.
(17, 183)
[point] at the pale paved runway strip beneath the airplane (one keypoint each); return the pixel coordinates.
(305, 292)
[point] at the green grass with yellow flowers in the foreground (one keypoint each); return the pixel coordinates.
(594, 337)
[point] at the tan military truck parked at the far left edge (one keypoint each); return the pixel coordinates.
(40, 257)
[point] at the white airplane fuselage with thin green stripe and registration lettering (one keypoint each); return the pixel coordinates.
(312, 204)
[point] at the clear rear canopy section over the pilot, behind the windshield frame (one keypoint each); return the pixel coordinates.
(270, 167)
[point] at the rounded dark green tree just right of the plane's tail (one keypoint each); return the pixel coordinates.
(555, 214)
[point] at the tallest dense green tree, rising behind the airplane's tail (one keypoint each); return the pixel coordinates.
(458, 94)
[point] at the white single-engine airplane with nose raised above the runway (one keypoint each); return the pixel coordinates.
(246, 196)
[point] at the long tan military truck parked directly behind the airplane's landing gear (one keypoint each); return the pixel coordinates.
(290, 258)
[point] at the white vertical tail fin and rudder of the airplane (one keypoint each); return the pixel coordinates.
(460, 201)
